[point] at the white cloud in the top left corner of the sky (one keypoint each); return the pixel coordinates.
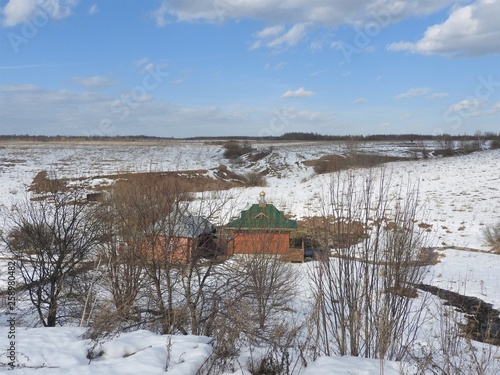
(16, 12)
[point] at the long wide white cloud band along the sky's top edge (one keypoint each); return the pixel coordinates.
(324, 12)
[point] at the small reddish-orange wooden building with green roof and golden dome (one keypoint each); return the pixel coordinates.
(261, 229)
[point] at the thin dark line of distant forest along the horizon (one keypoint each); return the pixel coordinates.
(293, 136)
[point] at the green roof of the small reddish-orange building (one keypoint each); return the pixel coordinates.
(261, 217)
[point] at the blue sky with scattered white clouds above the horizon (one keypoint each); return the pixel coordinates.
(184, 68)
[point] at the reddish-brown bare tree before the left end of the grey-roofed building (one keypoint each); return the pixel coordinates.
(138, 274)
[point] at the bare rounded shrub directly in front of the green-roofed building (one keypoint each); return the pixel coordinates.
(255, 310)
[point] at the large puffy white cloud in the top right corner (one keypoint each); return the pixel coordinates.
(470, 30)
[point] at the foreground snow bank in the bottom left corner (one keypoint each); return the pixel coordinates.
(61, 350)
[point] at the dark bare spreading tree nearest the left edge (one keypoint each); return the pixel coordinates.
(52, 240)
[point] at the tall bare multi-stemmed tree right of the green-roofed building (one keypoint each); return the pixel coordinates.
(364, 293)
